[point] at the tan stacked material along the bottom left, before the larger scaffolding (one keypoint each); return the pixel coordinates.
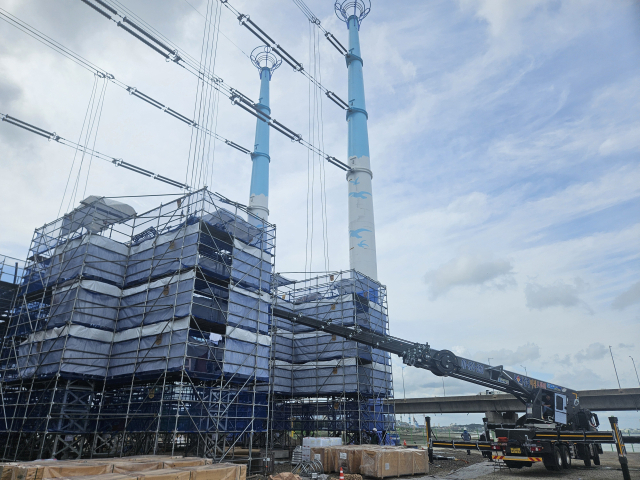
(131, 468)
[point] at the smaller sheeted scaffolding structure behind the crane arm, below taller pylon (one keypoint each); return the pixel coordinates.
(323, 384)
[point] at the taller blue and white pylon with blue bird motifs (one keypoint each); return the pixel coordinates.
(362, 236)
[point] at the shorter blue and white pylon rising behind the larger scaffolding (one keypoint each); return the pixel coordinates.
(266, 61)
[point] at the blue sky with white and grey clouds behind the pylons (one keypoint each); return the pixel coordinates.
(504, 141)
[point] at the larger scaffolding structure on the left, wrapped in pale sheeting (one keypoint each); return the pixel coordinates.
(141, 334)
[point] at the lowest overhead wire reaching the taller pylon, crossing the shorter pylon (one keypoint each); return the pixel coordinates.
(172, 53)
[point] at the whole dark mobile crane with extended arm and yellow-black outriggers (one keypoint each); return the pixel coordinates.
(554, 429)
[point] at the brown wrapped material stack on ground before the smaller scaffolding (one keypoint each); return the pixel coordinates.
(372, 460)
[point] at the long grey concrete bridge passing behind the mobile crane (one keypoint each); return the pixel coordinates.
(610, 400)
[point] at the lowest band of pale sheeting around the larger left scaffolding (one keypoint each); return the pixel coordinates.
(87, 352)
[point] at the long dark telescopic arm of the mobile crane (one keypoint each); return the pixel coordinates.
(439, 362)
